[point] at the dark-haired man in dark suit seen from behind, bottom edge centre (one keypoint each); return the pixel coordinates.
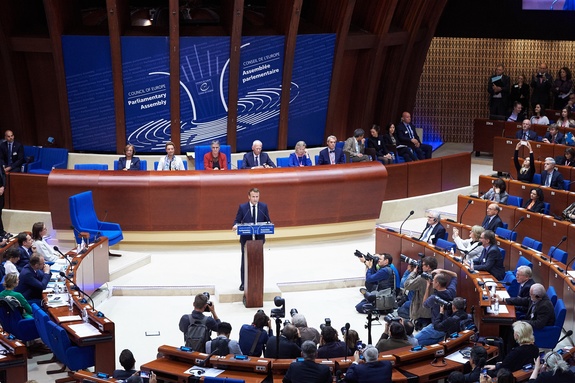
(308, 371)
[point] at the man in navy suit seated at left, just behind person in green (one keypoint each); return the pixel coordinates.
(34, 278)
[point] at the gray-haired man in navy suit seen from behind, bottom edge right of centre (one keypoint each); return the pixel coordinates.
(372, 371)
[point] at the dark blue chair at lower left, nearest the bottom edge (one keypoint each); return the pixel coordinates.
(73, 357)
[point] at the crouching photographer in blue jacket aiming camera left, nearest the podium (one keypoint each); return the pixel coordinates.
(377, 277)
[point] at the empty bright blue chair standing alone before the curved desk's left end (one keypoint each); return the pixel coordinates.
(83, 218)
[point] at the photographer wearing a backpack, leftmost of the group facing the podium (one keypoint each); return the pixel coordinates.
(197, 327)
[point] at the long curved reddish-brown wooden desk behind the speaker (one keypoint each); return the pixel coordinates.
(203, 200)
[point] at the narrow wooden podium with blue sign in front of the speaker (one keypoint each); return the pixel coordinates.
(254, 263)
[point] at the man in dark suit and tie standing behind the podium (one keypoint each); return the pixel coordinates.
(252, 211)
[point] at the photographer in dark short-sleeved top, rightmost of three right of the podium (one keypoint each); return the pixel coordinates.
(440, 292)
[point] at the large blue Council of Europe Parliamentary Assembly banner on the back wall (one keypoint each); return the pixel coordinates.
(204, 76)
